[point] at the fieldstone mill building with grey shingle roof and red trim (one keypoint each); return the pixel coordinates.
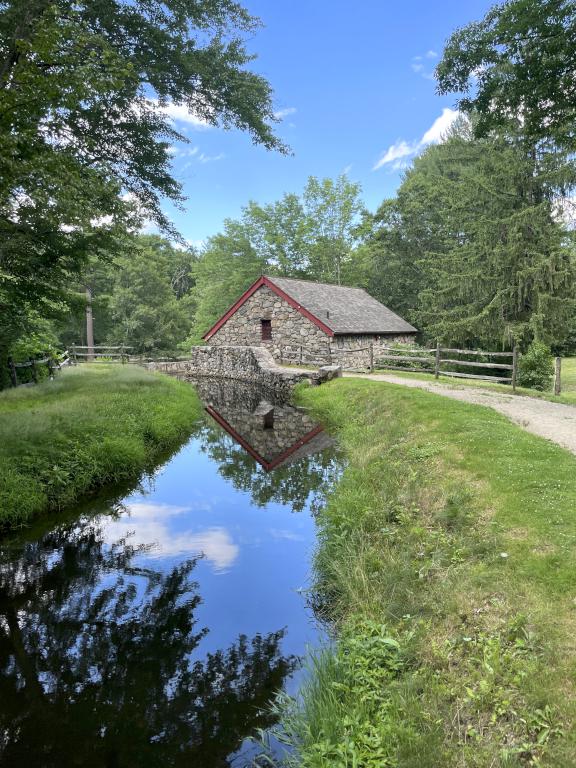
(300, 321)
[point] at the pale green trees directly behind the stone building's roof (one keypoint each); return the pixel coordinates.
(312, 236)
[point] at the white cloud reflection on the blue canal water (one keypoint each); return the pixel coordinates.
(148, 524)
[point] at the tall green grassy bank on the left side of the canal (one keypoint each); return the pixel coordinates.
(91, 426)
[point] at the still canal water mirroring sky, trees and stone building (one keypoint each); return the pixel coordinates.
(152, 625)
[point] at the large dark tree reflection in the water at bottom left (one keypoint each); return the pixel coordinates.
(94, 662)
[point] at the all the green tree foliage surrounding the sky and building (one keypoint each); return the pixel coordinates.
(475, 249)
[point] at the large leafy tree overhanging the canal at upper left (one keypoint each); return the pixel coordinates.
(84, 132)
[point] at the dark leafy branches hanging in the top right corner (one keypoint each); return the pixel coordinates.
(517, 65)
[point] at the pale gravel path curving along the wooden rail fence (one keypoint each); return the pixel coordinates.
(554, 421)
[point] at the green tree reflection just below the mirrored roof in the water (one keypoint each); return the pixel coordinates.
(306, 480)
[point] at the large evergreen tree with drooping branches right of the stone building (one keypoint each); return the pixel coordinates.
(475, 235)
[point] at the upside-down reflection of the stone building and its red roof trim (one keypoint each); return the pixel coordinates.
(273, 432)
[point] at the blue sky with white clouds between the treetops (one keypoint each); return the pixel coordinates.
(354, 84)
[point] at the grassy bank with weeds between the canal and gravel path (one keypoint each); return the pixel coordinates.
(447, 562)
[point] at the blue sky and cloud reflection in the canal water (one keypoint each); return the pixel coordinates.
(255, 559)
